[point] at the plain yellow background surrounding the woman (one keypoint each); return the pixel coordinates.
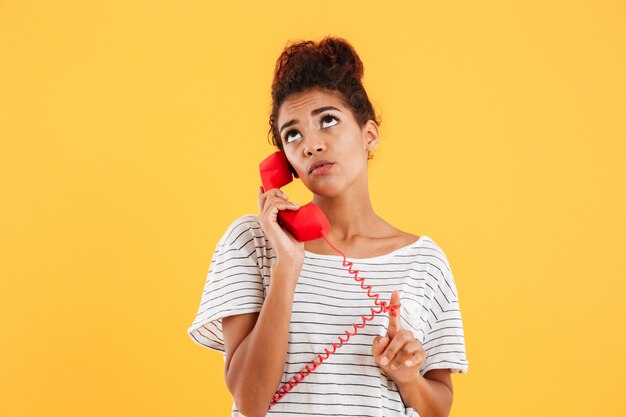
(130, 139)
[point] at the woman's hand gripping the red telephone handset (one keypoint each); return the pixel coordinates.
(289, 251)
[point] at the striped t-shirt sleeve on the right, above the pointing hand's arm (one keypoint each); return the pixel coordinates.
(444, 341)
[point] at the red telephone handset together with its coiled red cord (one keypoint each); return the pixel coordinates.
(309, 223)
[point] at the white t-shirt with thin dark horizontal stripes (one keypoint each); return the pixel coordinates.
(327, 301)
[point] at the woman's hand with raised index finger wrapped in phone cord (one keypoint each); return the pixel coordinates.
(398, 354)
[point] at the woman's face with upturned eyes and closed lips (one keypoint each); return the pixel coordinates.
(314, 125)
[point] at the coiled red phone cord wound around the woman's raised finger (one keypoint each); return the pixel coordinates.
(382, 308)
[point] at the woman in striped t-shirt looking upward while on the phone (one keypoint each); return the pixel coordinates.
(271, 303)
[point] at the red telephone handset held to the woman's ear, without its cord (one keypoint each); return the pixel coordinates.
(308, 222)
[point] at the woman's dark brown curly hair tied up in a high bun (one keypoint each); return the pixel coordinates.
(332, 65)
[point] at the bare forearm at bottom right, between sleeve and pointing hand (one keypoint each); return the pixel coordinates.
(428, 397)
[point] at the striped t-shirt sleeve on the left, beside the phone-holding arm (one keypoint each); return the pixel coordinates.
(234, 284)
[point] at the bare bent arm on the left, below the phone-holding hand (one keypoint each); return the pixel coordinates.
(256, 345)
